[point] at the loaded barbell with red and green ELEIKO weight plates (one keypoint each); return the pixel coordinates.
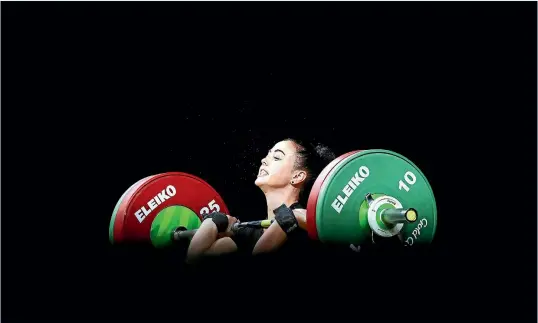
(358, 194)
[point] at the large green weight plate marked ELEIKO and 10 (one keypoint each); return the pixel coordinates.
(341, 211)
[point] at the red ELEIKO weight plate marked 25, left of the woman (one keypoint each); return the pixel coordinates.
(162, 191)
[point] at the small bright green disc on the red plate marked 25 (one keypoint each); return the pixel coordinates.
(167, 220)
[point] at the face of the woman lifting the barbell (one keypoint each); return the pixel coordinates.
(277, 169)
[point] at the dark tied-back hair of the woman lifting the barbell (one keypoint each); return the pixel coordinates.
(312, 158)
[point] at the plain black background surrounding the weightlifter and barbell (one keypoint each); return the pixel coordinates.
(99, 95)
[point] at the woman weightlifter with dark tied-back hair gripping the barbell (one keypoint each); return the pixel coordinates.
(286, 174)
